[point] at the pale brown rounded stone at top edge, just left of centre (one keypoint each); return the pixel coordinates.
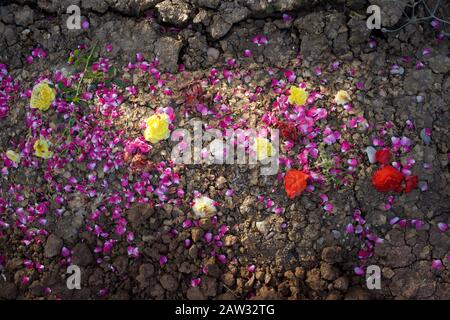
(174, 12)
